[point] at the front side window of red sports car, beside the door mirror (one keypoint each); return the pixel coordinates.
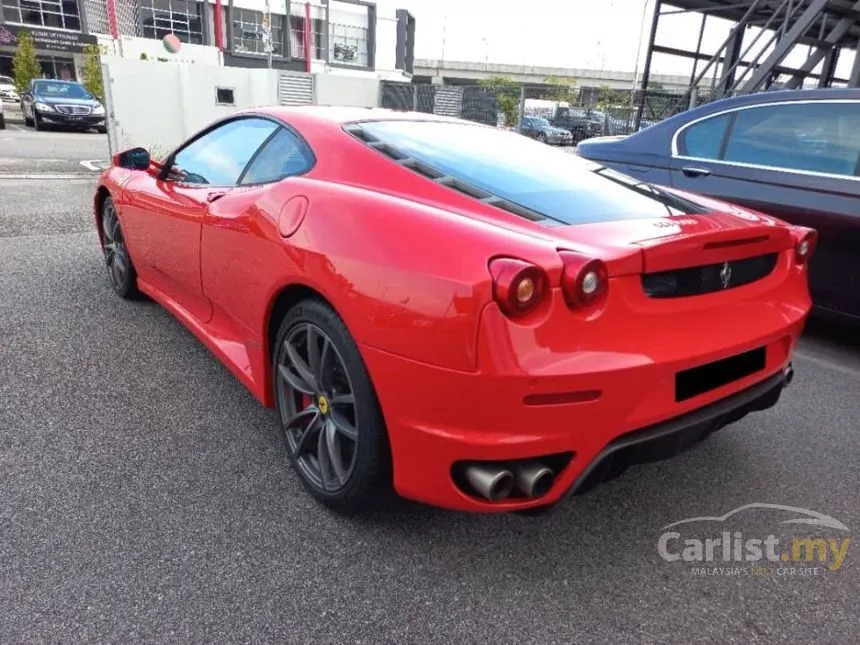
(219, 157)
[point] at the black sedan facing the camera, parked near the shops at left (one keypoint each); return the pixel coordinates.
(61, 103)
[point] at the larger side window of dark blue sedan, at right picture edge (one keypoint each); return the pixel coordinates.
(816, 137)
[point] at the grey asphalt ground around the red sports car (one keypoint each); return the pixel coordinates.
(146, 497)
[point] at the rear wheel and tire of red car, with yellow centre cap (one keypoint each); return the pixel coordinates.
(314, 425)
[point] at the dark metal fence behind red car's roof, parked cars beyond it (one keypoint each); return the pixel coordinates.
(585, 111)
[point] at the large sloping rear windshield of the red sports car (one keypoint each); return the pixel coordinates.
(558, 184)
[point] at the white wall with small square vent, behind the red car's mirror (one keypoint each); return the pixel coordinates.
(157, 106)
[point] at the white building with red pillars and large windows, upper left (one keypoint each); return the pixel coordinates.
(356, 37)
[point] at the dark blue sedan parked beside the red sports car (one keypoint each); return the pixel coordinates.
(793, 154)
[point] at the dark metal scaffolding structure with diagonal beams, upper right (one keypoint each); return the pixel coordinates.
(828, 28)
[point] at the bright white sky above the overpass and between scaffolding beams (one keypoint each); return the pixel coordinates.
(609, 35)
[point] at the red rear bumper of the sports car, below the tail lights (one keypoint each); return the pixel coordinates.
(600, 393)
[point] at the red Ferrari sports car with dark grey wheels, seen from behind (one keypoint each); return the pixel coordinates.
(452, 311)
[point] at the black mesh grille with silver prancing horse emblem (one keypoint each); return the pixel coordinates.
(694, 281)
